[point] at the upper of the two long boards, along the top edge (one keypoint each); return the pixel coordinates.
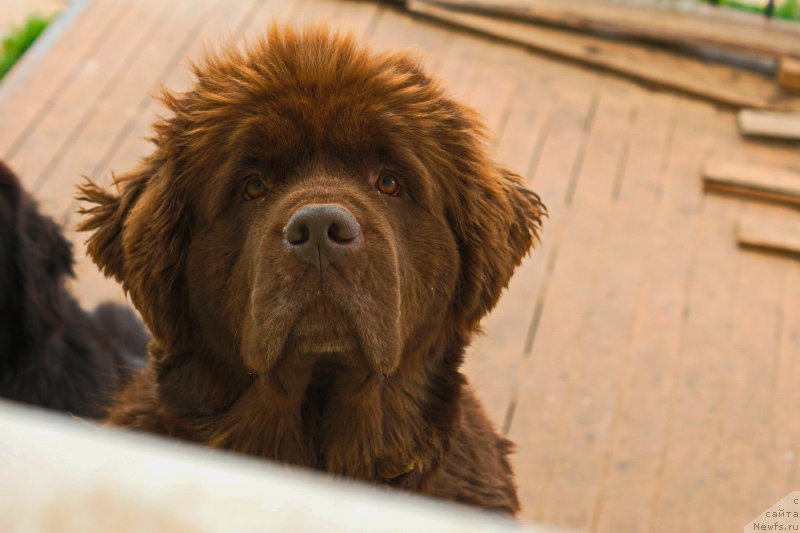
(653, 24)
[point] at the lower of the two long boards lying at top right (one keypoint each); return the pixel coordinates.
(650, 64)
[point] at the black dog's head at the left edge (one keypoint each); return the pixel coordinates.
(34, 261)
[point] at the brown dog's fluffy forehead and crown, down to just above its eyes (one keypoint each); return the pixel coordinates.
(293, 100)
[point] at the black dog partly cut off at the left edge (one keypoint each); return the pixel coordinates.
(52, 353)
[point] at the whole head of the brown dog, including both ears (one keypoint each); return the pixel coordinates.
(307, 198)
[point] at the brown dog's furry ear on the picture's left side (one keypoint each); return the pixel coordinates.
(139, 237)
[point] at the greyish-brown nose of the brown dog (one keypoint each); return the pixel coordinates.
(321, 234)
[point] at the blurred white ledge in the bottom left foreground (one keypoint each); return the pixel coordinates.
(62, 474)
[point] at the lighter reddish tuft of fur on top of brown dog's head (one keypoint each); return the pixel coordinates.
(317, 89)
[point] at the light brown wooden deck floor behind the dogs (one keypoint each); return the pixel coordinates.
(648, 370)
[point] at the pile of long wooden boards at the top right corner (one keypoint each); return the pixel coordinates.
(659, 47)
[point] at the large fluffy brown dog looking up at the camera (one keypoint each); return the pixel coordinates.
(312, 243)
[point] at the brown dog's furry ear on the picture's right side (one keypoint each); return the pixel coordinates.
(501, 222)
